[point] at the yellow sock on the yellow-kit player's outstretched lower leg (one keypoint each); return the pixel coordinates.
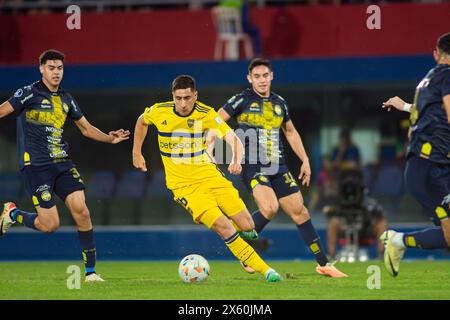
(246, 254)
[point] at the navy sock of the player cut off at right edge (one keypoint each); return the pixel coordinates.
(432, 238)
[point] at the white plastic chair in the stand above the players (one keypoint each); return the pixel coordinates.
(228, 22)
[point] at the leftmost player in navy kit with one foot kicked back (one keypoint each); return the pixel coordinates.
(46, 167)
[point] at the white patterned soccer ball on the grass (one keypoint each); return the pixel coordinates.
(193, 268)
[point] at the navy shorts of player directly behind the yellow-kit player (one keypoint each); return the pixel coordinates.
(282, 182)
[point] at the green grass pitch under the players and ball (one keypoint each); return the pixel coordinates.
(159, 280)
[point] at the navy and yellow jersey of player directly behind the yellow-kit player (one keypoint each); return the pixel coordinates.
(259, 121)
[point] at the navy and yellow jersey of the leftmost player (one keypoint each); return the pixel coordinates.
(41, 115)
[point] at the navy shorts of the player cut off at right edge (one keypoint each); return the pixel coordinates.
(429, 183)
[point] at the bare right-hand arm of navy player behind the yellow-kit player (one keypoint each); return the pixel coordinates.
(293, 137)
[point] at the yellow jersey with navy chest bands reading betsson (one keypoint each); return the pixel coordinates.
(182, 142)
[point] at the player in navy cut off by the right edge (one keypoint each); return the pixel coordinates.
(427, 171)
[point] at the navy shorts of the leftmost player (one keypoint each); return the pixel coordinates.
(41, 182)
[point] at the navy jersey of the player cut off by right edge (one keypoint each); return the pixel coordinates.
(430, 130)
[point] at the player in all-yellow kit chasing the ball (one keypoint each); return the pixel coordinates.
(196, 182)
